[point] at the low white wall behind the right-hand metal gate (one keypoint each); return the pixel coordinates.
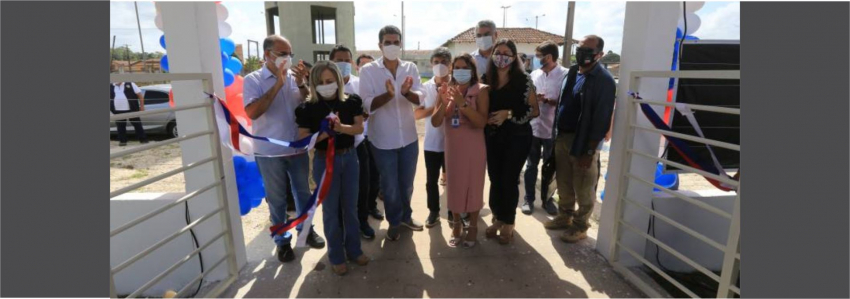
(707, 223)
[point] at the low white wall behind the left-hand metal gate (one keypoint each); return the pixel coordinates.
(125, 245)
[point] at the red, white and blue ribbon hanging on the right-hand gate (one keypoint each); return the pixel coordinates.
(682, 147)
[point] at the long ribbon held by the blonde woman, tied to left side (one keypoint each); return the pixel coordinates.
(224, 116)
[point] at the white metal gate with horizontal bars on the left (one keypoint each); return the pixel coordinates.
(218, 186)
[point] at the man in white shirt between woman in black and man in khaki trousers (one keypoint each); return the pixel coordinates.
(547, 78)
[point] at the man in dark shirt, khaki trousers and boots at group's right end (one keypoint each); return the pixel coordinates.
(583, 119)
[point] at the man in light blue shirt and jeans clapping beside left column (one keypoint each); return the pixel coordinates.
(271, 95)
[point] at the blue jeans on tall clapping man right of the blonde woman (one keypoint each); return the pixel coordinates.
(397, 168)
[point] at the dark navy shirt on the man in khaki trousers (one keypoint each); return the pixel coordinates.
(594, 103)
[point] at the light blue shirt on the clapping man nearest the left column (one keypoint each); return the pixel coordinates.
(278, 121)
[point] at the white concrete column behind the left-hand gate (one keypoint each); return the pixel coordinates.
(191, 32)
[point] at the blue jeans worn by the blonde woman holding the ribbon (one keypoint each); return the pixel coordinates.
(341, 199)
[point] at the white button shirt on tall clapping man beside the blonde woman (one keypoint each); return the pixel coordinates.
(393, 124)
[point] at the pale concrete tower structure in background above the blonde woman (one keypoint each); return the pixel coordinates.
(296, 25)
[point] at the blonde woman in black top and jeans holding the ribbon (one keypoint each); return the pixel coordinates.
(344, 112)
